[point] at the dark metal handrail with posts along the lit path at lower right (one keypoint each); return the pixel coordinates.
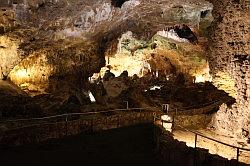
(201, 135)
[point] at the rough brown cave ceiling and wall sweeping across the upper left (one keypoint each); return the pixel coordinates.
(63, 28)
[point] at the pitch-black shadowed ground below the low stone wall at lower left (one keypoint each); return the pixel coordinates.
(128, 145)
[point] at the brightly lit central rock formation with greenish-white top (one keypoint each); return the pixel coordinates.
(162, 55)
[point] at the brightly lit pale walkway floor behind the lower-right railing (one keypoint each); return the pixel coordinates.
(214, 148)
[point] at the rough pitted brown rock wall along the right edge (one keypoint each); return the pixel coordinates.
(229, 53)
